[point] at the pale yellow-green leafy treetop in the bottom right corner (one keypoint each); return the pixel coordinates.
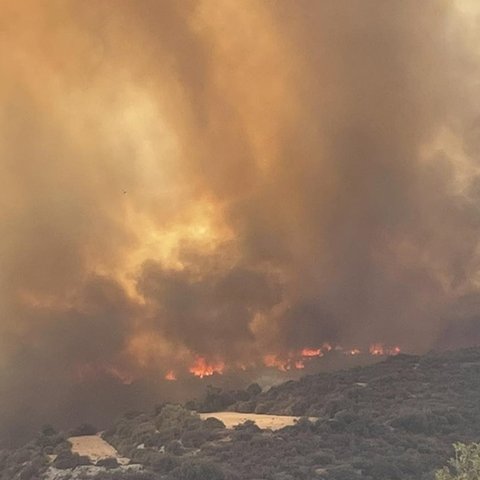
(465, 465)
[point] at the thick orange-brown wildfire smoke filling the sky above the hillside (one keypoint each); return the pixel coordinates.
(227, 180)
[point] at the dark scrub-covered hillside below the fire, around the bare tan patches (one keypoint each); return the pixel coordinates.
(396, 420)
